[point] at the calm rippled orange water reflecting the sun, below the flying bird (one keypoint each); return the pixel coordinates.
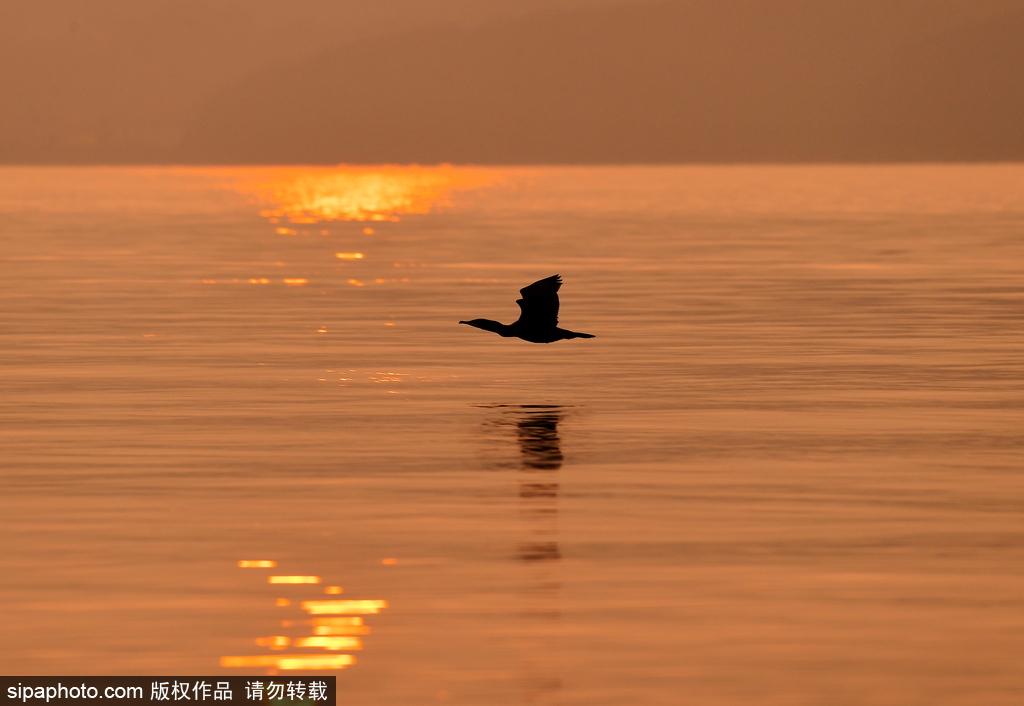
(788, 472)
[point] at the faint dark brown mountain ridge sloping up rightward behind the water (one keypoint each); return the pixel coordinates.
(685, 81)
